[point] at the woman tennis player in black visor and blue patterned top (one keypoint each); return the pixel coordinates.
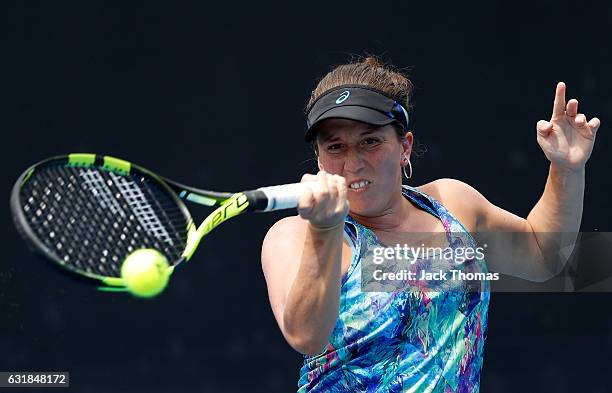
(409, 339)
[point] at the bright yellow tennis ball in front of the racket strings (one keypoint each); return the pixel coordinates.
(145, 272)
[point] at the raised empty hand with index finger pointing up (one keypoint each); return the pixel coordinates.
(568, 138)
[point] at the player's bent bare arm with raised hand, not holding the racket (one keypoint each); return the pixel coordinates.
(553, 223)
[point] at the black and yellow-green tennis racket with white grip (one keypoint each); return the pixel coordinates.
(86, 213)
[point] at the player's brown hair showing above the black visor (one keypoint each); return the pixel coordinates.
(369, 72)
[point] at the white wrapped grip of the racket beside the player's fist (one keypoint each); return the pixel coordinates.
(271, 198)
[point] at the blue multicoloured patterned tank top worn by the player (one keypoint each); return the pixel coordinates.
(407, 340)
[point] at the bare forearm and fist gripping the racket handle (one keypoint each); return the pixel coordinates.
(302, 260)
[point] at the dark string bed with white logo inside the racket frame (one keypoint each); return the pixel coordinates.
(91, 219)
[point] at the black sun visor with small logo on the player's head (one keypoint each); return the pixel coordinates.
(355, 102)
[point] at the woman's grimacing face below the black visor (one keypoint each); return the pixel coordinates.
(368, 157)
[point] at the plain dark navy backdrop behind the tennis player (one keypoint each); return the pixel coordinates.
(212, 95)
